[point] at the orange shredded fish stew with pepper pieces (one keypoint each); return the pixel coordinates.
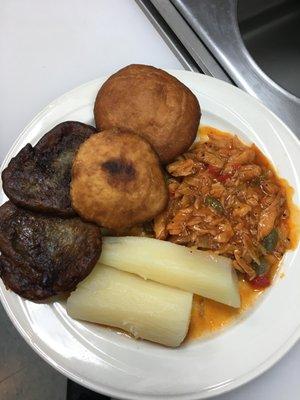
(225, 197)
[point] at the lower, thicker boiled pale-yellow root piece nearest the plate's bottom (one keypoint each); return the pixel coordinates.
(145, 309)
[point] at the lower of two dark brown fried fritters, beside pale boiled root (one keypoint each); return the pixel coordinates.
(45, 255)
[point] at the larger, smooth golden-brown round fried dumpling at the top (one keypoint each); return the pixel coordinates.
(152, 103)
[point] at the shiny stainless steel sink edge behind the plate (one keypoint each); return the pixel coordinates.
(208, 30)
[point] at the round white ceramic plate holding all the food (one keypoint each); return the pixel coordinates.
(114, 364)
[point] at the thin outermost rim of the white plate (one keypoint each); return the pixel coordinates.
(237, 382)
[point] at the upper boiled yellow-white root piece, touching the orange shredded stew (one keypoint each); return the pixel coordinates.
(194, 271)
